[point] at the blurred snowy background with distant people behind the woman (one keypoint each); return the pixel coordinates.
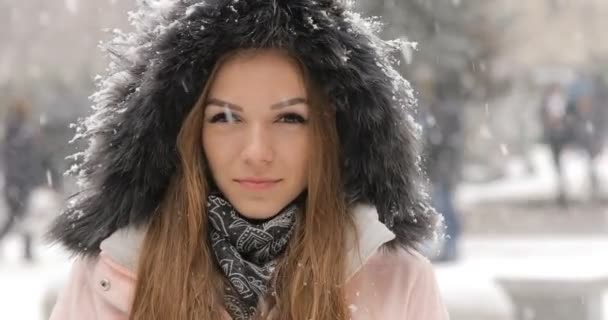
(513, 106)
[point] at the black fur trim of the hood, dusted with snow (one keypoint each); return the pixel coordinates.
(158, 71)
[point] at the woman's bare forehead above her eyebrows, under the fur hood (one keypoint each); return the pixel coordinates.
(258, 77)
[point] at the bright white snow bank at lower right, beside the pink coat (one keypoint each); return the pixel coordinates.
(469, 286)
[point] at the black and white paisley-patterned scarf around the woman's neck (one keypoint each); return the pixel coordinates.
(246, 252)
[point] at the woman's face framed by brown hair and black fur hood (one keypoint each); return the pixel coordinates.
(256, 132)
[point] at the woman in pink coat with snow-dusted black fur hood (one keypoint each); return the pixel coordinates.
(249, 159)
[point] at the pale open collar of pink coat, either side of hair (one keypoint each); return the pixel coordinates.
(124, 245)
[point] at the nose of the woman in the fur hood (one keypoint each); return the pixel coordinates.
(258, 149)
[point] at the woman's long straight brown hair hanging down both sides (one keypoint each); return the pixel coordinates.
(178, 277)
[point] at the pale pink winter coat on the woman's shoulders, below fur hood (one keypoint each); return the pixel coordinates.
(380, 284)
